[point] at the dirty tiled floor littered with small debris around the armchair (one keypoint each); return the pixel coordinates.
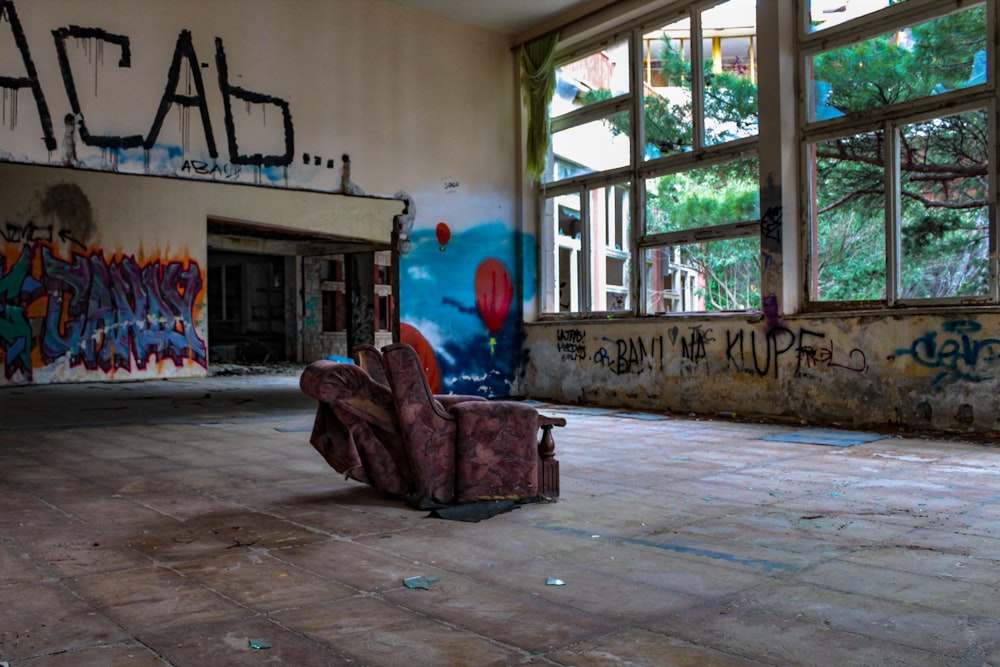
(171, 523)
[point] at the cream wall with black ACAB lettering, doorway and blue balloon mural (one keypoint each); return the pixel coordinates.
(344, 96)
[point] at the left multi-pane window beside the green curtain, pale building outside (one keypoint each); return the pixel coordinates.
(650, 198)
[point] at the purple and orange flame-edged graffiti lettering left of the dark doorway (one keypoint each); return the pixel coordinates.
(96, 313)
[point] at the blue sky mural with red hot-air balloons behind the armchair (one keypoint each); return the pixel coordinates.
(460, 300)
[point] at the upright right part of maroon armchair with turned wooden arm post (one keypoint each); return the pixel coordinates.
(472, 450)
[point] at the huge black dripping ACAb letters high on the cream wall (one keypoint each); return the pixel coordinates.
(185, 91)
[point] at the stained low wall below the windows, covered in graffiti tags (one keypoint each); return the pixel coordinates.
(939, 371)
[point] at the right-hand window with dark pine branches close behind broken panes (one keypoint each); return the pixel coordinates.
(898, 157)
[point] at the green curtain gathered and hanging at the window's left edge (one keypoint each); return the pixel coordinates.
(538, 81)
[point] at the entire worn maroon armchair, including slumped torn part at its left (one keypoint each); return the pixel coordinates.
(378, 423)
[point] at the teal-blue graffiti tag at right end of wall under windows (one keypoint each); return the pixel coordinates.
(957, 351)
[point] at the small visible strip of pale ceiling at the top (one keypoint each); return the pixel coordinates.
(508, 17)
